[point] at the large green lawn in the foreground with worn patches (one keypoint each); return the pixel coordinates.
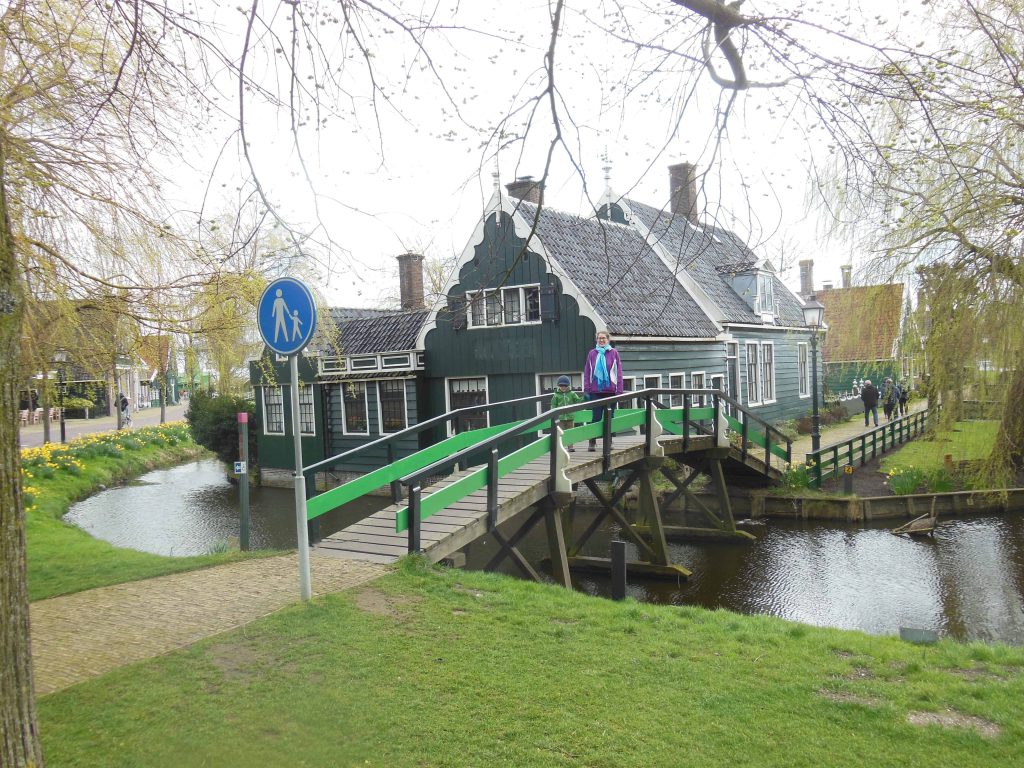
(467, 669)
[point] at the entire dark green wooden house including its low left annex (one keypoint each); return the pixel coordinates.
(689, 307)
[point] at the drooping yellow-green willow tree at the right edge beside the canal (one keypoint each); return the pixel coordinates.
(934, 186)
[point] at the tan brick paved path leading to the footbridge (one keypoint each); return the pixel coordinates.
(80, 636)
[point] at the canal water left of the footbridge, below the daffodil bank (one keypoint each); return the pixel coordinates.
(191, 509)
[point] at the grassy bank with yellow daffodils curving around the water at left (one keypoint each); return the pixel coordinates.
(64, 559)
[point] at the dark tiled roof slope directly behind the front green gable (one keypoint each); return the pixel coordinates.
(621, 276)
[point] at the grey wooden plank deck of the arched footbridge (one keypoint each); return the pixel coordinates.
(374, 539)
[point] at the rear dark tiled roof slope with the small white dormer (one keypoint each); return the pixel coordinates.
(709, 255)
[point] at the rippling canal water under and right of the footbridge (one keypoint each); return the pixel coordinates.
(967, 584)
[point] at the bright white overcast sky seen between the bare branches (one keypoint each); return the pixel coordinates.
(413, 172)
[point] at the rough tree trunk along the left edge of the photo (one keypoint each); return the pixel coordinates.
(19, 730)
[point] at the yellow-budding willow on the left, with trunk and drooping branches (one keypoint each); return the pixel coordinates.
(91, 93)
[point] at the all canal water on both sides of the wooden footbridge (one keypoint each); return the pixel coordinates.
(968, 583)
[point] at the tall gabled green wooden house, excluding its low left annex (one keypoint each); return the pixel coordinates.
(689, 306)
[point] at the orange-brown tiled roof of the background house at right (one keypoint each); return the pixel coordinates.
(864, 322)
